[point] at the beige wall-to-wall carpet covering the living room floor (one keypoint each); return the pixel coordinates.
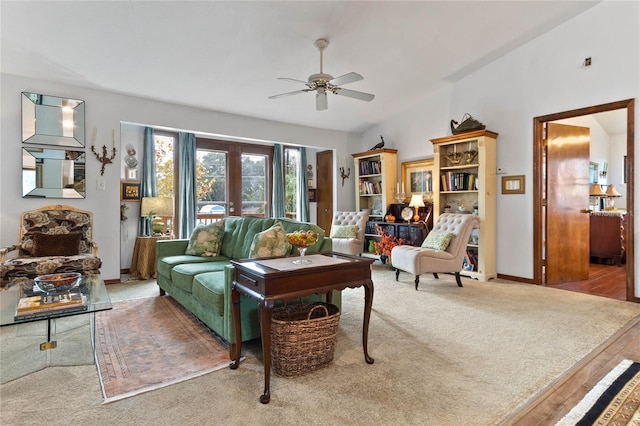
(444, 355)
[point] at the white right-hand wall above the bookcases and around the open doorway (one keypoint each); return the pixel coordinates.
(543, 77)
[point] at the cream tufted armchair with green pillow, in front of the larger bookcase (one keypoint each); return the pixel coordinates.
(442, 251)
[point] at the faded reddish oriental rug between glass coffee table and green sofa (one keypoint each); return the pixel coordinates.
(145, 344)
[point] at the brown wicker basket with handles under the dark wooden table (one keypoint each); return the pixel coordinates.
(303, 337)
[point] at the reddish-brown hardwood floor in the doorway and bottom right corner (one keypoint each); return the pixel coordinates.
(561, 396)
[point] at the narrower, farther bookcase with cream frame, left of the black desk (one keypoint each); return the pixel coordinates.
(376, 178)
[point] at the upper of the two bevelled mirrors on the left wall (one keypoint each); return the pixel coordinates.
(49, 120)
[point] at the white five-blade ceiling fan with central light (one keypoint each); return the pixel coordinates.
(323, 83)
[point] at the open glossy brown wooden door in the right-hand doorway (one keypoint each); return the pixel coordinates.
(567, 194)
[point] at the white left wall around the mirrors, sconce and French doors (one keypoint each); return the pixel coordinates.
(106, 111)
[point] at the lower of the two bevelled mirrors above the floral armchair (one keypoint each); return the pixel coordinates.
(53, 173)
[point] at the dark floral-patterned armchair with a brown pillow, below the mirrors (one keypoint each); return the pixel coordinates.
(52, 239)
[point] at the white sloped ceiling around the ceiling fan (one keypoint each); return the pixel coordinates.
(227, 55)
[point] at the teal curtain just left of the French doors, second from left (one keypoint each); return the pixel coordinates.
(187, 198)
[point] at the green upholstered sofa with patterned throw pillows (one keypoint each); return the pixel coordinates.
(203, 284)
